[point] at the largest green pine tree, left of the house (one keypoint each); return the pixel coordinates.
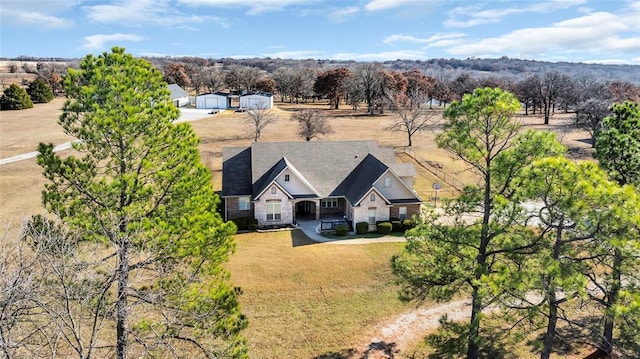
(139, 189)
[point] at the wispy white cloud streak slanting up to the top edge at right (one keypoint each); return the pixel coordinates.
(470, 16)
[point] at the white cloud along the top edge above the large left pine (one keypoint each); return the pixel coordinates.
(141, 12)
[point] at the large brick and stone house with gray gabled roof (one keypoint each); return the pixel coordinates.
(280, 183)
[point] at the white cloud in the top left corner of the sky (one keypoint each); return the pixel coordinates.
(40, 13)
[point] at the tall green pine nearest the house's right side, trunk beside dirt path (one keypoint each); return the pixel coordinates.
(466, 253)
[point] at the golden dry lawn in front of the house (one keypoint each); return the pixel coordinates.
(311, 301)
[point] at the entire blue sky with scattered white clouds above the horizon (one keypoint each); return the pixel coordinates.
(600, 31)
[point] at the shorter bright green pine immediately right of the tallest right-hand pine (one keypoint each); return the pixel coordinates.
(570, 214)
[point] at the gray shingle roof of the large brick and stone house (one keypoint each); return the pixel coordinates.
(332, 168)
